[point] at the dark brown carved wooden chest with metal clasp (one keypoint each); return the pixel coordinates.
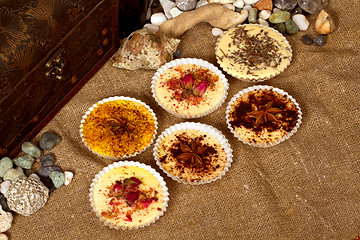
(48, 50)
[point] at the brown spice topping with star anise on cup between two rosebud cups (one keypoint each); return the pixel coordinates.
(194, 156)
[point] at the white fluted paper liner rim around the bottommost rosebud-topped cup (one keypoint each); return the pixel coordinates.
(121, 164)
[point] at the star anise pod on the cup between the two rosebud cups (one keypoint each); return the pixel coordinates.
(192, 153)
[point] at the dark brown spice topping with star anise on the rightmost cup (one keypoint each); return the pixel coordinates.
(264, 109)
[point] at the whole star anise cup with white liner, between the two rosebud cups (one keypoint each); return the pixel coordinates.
(193, 153)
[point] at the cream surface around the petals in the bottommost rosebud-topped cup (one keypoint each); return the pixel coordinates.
(150, 185)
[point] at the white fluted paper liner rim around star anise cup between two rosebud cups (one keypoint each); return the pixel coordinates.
(203, 128)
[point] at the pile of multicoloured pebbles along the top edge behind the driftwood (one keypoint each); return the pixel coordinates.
(286, 16)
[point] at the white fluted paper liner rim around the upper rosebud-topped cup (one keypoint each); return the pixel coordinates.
(198, 62)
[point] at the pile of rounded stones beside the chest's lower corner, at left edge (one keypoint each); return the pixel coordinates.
(22, 190)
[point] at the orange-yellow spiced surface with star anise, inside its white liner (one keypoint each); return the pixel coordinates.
(119, 127)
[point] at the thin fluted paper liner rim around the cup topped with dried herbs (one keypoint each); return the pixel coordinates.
(253, 79)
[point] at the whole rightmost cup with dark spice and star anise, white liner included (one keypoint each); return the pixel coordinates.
(263, 116)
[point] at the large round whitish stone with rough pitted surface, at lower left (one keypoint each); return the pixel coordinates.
(27, 195)
